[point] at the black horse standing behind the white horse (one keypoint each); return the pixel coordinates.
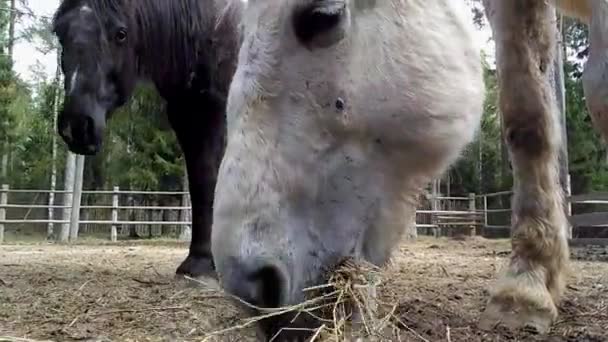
(188, 49)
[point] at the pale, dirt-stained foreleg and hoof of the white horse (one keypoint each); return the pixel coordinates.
(527, 294)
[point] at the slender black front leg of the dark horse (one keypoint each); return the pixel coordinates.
(201, 136)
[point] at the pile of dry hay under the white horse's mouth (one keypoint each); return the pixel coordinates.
(346, 307)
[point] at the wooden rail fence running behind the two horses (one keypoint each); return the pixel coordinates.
(486, 214)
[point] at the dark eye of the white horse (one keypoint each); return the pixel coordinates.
(320, 19)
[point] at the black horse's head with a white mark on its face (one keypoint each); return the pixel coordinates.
(99, 64)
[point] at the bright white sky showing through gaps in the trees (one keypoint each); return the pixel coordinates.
(26, 56)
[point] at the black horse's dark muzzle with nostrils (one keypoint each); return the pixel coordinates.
(81, 125)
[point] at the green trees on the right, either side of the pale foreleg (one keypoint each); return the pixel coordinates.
(481, 167)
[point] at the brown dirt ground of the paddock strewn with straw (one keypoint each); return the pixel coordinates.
(127, 292)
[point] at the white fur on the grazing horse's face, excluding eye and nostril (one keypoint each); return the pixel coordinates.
(411, 78)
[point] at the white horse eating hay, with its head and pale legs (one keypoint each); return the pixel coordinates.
(340, 111)
